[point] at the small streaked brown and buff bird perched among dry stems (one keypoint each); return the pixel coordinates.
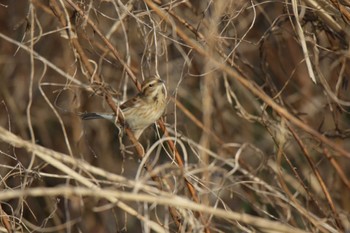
(140, 111)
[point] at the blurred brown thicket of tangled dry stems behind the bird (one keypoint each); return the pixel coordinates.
(240, 154)
